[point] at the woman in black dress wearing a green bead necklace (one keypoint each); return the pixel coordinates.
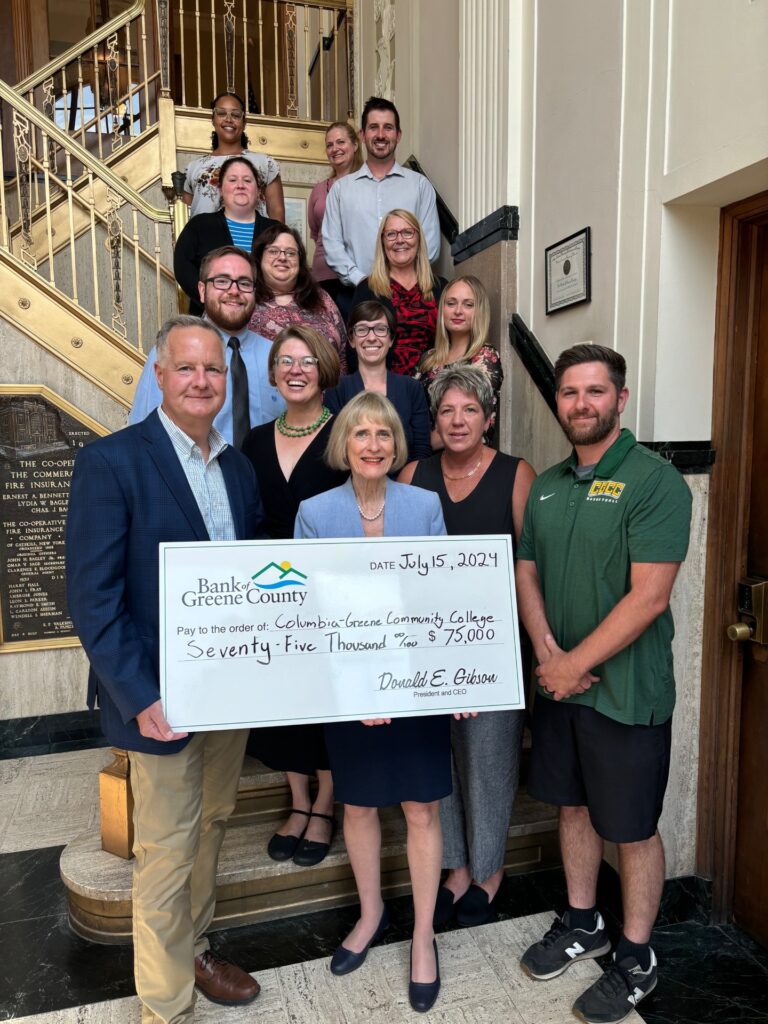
(287, 455)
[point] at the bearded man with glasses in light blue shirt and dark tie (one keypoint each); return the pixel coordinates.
(227, 291)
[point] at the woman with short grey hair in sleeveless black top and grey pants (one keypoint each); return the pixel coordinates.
(482, 492)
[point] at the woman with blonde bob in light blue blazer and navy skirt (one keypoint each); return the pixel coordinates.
(407, 760)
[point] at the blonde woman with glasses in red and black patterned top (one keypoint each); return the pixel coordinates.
(402, 279)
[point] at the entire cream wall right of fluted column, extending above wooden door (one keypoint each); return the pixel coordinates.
(642, 121)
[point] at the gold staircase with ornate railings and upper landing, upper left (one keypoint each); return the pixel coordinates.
(91, 143)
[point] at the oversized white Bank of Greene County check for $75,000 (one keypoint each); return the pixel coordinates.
(265, 633)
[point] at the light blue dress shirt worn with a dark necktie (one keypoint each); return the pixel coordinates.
(265, 402)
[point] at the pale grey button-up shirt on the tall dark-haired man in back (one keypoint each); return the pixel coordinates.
(355, 209)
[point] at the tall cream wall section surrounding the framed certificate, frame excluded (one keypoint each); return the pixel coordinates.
(571, 158)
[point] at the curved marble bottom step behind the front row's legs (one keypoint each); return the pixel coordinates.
(251, 887)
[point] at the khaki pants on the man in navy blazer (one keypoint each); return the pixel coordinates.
(182, 803)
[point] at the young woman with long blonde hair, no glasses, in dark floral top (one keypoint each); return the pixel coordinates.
(463, 323)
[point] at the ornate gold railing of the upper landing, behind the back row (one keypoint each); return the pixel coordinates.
(292, 61)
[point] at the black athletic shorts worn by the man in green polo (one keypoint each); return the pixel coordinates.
(581, 758)
